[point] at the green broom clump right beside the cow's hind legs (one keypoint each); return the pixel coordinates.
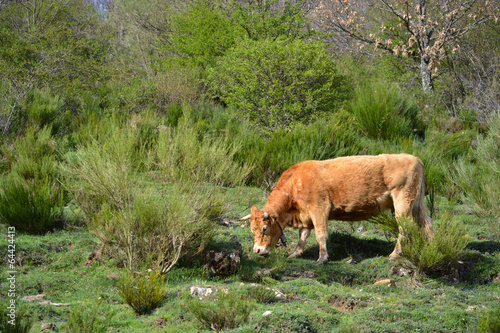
(441, 253)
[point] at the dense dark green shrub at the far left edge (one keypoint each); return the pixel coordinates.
(31, 195)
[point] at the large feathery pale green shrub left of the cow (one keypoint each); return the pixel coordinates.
(153, 221)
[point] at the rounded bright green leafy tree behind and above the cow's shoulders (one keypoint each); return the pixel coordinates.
(280, 83)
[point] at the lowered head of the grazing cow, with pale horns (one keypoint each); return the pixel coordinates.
(264, 225)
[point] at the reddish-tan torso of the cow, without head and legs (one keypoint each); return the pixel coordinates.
(353, 187)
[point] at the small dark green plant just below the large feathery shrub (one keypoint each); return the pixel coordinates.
(143, 293)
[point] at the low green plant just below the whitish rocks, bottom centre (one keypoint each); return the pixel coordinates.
(227, 311)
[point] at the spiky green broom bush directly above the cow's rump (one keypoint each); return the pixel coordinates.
(382, 113)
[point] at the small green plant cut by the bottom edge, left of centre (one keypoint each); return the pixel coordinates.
(89, 319)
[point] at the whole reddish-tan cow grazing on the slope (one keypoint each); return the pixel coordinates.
(351, 188)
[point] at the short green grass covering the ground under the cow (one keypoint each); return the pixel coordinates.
(336, 297)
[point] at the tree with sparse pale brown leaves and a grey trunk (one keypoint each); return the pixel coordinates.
(418, 32)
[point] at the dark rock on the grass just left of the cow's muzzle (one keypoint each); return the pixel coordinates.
(223, 261)
